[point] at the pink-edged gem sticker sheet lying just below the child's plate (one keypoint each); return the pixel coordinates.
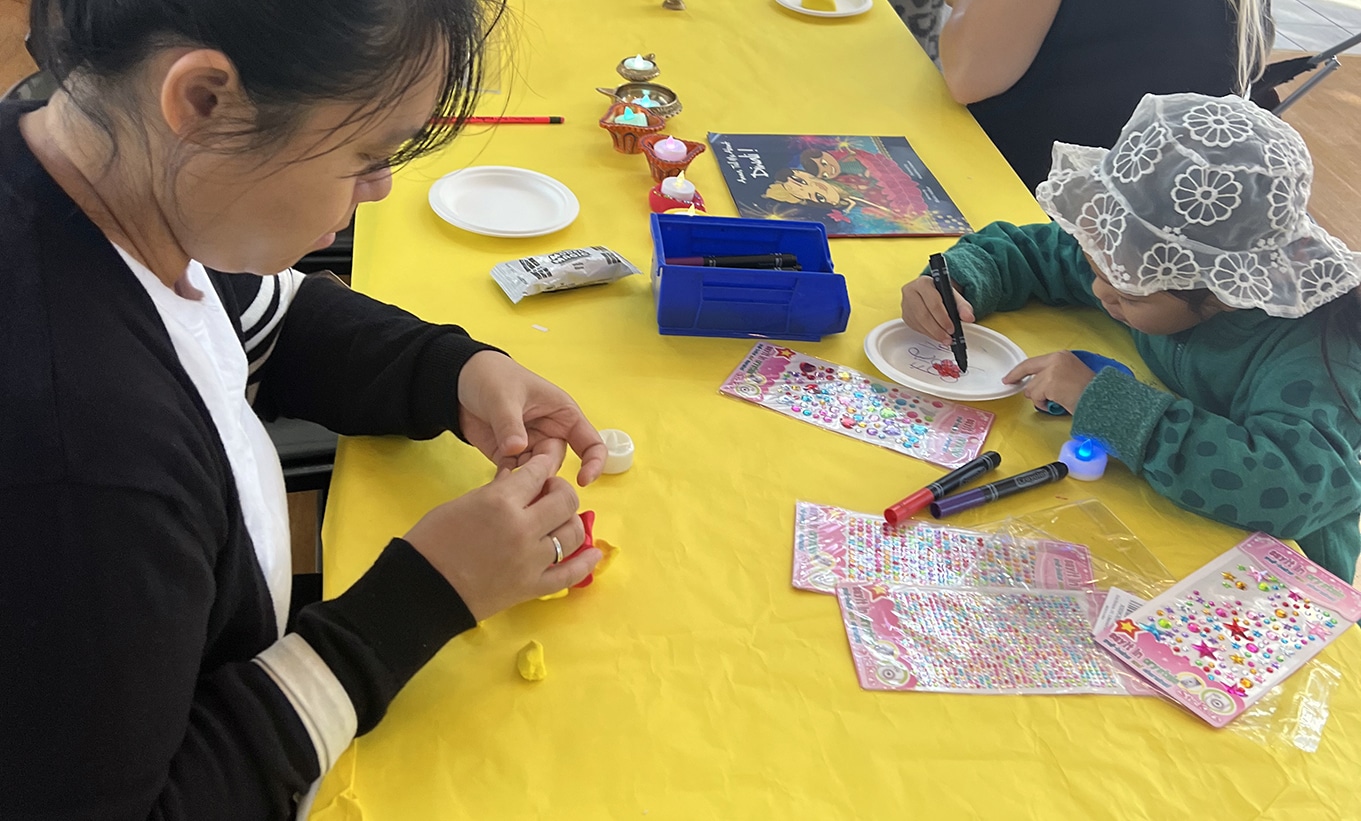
(851, 404)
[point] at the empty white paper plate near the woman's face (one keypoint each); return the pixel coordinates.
(499, 201)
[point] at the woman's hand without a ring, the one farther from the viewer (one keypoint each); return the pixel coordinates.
(511, 415)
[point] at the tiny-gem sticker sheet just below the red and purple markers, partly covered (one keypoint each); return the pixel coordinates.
(834, 545)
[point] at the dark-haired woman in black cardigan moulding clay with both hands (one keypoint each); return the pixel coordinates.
(146, 669)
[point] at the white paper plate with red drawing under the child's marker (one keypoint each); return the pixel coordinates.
(908, 357)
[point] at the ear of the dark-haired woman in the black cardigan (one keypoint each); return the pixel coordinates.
(201, 88)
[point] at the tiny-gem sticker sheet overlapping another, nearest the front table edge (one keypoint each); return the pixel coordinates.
(977, 641)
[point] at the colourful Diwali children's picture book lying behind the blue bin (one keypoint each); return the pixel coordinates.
(855, 186)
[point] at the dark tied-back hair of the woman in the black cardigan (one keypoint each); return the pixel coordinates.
(289, 55)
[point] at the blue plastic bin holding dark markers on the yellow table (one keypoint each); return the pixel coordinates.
(696, 302)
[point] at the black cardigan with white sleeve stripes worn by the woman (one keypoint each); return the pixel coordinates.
(131, 601)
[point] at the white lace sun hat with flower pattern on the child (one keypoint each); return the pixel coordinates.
(1202, 193)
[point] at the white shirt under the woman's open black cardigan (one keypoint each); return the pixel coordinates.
(212, 355)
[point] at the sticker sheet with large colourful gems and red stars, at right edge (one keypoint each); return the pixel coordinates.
(1236, 628)
